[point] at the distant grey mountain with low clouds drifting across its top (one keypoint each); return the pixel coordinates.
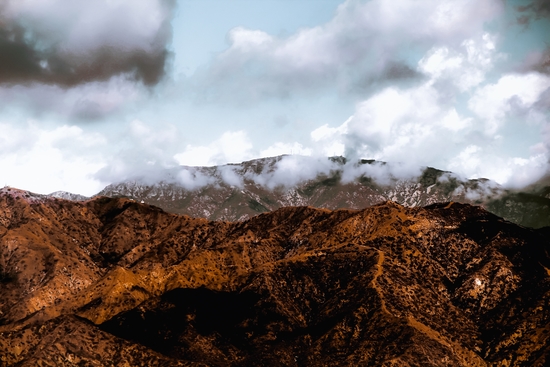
(240, 191)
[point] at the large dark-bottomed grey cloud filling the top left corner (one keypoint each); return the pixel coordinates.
(31, 52)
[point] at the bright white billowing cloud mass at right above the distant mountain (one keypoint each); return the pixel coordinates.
(422, 124)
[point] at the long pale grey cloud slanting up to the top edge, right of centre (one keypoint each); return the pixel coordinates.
(360, 48)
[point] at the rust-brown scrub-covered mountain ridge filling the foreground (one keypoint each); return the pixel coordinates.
(112, 282)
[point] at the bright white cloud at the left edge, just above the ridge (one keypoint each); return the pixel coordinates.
(45, 160)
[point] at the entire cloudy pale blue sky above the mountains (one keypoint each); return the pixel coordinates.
(97, 92)
